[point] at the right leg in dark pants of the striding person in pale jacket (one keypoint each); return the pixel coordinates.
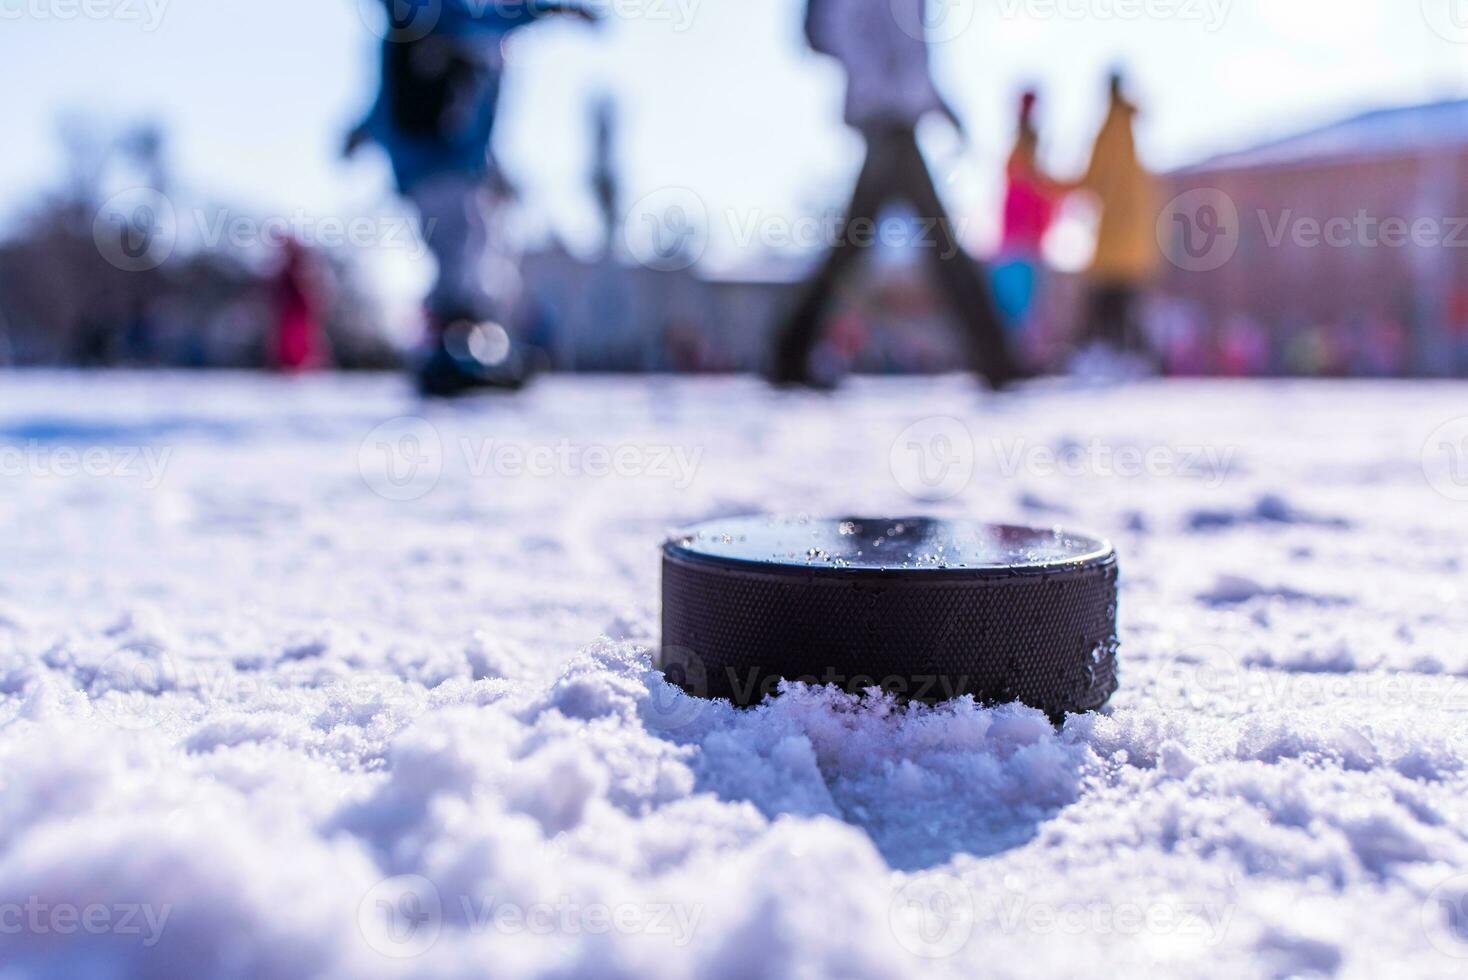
(959, 275)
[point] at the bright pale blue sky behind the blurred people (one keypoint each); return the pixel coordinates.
(716, 96)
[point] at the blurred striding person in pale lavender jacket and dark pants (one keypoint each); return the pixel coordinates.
(889, 92)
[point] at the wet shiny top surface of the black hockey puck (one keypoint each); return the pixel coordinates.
(883, 545)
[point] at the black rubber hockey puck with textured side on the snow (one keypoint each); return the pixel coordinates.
(923, 608)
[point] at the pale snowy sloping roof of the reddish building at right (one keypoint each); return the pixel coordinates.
(1381, 133)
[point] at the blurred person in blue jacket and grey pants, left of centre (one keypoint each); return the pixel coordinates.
(435, 117)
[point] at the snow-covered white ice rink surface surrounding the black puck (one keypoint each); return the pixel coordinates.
(308, 679)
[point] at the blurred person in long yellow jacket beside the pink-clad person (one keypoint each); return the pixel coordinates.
(1127, 253)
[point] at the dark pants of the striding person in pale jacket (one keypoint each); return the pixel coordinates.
(895, 171)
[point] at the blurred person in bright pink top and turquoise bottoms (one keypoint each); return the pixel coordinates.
(1031, 199)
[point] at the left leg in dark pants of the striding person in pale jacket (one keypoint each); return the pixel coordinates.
(798, 335)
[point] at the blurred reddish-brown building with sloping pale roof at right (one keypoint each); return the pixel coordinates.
(1341, 252)
